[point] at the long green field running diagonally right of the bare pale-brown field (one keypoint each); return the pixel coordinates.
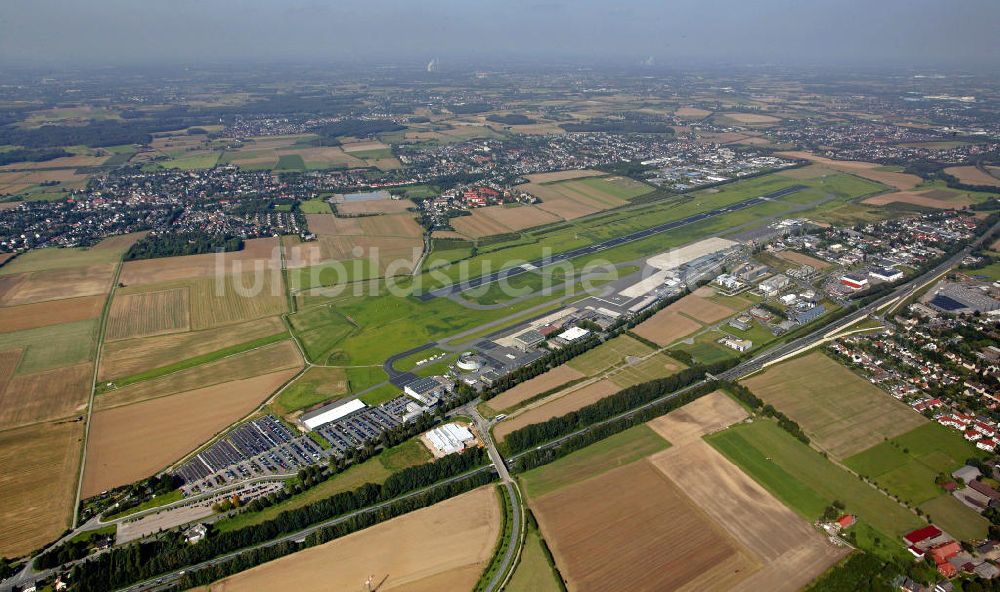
(806, 481)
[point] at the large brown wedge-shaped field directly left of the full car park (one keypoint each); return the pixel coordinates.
(131, 442)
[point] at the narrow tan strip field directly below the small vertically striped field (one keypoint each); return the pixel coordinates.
(131, 356)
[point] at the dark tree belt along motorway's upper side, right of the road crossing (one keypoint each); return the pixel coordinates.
(624, 400)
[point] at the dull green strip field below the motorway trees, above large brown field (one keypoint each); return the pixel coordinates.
(615, 451)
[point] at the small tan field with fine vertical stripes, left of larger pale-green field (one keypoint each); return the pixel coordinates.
(144, 314)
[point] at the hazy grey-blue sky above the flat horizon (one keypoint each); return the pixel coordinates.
(675, 32)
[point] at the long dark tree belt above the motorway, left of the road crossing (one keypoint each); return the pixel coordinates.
(122, 566)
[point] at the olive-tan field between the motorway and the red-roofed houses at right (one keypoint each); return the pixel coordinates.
(842, 412)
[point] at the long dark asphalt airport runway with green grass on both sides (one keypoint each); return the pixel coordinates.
(608, 244)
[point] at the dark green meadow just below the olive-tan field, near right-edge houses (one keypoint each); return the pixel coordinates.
(907, 465)
